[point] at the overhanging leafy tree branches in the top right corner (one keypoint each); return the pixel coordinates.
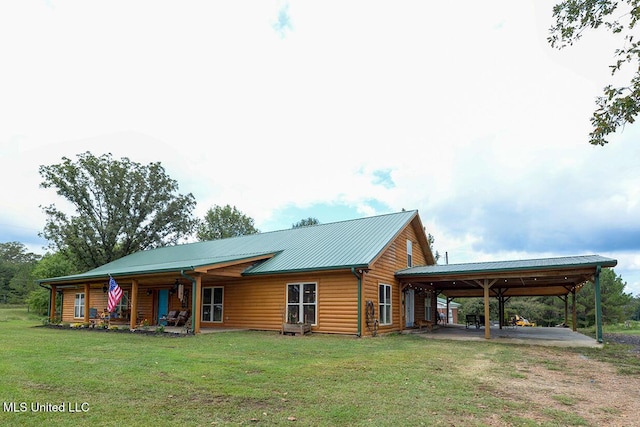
(619, 105)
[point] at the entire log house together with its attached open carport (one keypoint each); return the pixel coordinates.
(359, 277)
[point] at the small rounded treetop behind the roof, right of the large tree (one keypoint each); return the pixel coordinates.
(223, 222)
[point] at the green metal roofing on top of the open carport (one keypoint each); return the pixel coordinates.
(505, 266)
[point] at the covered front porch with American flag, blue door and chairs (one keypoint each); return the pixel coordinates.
(152, 295)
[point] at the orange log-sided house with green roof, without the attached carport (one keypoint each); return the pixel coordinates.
(338, 277)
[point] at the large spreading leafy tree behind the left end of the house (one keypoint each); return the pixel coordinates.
(121, 207)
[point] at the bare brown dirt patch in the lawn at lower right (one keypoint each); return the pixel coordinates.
(571, 389)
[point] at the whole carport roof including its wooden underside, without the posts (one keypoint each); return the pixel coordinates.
(530, 277)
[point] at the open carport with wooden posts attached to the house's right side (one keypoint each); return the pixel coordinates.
(562, 277)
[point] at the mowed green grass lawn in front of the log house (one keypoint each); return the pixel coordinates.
(261, 378)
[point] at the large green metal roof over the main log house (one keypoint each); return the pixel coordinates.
(345, 244)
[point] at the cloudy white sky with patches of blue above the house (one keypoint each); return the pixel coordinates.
(332, 110)
